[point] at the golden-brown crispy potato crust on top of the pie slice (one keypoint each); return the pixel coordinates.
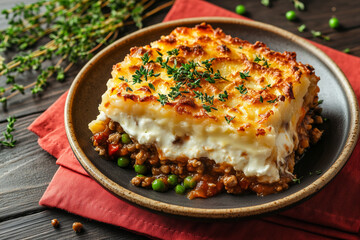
(272, 77)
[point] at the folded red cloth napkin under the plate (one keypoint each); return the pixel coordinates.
(332, 213)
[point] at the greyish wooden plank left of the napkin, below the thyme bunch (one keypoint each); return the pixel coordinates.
(25, 172)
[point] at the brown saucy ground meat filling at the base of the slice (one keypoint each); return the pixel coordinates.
(211, 178)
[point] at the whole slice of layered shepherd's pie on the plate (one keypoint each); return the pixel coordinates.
(202, 105)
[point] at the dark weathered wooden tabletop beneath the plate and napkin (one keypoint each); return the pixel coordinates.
(26, 170)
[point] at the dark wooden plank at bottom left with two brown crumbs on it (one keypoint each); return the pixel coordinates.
(38, 226)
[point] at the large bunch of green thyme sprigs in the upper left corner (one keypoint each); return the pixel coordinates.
(76, 29)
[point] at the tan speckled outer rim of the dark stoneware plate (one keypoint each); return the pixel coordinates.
(141, 200)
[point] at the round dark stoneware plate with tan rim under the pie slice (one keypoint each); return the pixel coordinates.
(328, 156)
